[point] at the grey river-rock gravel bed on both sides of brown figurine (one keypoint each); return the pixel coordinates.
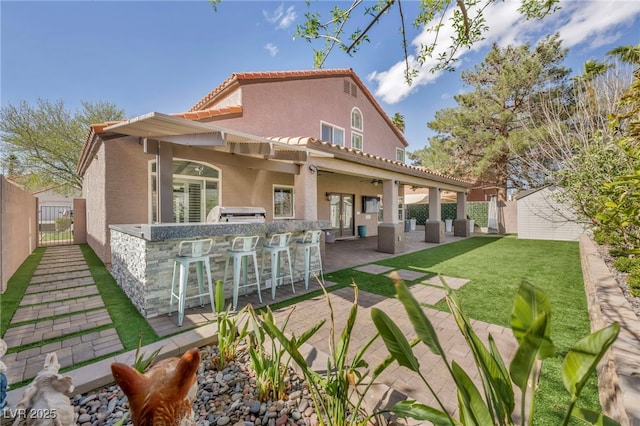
(226, 397)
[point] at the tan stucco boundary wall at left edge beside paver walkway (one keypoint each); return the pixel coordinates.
(18, 229)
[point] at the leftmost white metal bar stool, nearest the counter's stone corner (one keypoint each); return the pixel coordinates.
(195, 251)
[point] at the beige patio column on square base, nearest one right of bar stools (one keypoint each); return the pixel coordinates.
(390, 231)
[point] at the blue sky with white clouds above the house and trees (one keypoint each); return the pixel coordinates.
(165, 56)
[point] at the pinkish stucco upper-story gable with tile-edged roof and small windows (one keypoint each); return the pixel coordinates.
(330, 105)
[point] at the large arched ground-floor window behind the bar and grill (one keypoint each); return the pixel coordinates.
(196, 190)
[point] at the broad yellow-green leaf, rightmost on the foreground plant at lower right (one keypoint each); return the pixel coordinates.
(583, 357)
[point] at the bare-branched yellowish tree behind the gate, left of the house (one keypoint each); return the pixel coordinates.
(41, 143)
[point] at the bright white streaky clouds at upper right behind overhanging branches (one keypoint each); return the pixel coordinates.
(589, 22)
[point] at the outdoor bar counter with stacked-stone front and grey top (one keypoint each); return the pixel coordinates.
(142, 256)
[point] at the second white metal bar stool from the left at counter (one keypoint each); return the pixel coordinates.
(242, 248)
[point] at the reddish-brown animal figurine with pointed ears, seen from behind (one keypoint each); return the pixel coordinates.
(164, 395)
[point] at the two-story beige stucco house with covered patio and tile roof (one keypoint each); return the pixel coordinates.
(303, 145)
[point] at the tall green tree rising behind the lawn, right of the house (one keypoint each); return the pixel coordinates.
(480, 138)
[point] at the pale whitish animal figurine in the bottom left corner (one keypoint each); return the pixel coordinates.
(45, 402)
